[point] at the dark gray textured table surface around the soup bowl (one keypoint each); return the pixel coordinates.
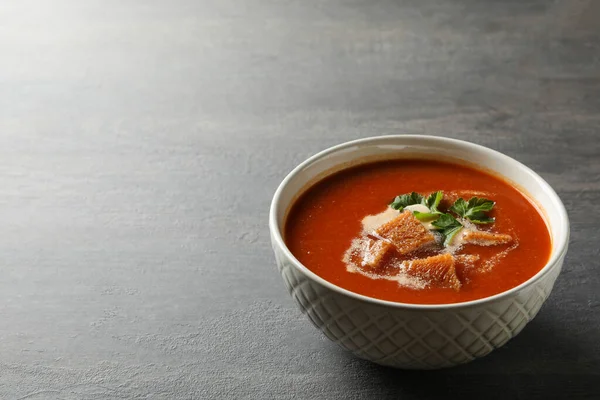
(141, 142)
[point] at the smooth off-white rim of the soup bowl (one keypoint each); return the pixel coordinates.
(561, 244)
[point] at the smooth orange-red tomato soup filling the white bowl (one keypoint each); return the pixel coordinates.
(326, 222)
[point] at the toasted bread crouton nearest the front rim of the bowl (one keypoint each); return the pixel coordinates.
(438, 269)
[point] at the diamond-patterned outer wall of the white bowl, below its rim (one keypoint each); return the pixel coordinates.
(414, 339)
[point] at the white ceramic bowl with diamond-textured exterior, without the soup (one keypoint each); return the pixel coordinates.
(409, 335)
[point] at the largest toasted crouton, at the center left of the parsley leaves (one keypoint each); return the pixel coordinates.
(406, 233)
